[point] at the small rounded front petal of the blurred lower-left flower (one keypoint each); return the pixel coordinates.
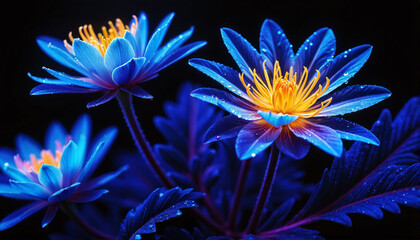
(51, 177)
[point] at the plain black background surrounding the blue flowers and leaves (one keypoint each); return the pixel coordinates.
(392, 27)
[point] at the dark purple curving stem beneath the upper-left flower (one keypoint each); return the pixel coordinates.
(125, 102)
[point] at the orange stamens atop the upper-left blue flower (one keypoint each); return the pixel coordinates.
(102, 40)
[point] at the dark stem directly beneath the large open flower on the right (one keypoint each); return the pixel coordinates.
(264, 191)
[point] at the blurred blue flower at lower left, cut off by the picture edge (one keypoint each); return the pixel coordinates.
(56, 173)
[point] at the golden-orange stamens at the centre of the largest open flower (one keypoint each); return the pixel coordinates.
(286, 95)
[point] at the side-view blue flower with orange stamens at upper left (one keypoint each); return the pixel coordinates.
(120, 57)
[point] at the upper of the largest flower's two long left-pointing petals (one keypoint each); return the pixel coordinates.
(226, 76)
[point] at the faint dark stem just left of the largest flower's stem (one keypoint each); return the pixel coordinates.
(239, 189)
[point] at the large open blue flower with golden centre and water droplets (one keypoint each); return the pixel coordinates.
(288, 98)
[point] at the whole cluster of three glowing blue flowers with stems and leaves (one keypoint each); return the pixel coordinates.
(278, 99)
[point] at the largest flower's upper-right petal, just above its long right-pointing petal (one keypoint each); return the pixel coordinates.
(344, 66)
